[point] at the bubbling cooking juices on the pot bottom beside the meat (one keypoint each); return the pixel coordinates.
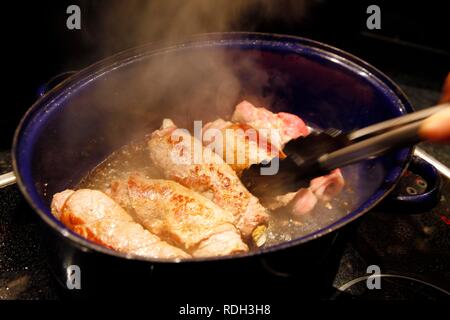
(134, 158)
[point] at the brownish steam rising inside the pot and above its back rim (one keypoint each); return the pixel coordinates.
(194, 85)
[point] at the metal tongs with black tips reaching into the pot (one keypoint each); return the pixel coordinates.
(323, 151)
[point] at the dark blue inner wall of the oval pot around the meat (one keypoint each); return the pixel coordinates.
(77, 125)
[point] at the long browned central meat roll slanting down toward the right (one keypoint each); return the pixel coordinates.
(182, 158)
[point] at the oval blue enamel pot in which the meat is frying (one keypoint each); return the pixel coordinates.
(82, 120)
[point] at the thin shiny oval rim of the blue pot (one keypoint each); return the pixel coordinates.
(122, 58)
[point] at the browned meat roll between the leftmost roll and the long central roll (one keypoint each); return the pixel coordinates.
(180, 216)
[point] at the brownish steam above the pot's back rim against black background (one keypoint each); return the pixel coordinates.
(129, 23)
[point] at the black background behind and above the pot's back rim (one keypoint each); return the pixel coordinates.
(37, 45)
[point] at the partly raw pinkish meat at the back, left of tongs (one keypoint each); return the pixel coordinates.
(252, 136)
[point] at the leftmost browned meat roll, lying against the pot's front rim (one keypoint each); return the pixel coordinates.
(96, 217)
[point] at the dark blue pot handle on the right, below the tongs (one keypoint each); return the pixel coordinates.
(420, 187)
